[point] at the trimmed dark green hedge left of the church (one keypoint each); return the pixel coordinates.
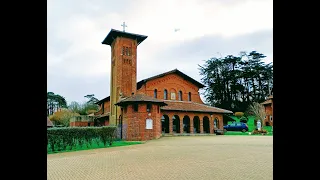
(61, 138)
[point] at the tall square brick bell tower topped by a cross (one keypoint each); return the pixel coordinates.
(123, 80)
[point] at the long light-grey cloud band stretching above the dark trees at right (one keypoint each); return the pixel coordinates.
(210, 46)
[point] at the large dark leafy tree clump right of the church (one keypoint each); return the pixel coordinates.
(234, 82)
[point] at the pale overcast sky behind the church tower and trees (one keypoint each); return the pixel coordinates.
(78, 64)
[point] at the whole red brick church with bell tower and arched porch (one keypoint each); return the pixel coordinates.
(165, 103)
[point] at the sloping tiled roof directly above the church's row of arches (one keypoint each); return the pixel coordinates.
(191, 106)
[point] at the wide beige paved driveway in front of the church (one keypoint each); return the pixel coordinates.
(189, 157)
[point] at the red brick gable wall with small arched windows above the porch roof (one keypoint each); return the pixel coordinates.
(173, 83)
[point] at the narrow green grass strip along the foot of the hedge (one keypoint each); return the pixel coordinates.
(94, 145)
